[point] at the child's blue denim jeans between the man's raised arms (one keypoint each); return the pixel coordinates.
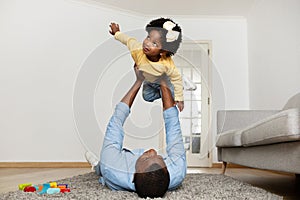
(151, 91)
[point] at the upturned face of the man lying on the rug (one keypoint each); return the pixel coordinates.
(147, 159)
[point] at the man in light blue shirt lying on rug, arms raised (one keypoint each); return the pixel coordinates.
(145, 172)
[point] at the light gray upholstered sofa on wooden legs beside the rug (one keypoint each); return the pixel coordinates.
(264, 139)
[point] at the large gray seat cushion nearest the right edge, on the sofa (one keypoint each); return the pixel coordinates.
(280, 127)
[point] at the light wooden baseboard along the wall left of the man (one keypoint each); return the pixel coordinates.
(44, 165)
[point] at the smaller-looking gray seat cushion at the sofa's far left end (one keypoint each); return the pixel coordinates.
(231, 138)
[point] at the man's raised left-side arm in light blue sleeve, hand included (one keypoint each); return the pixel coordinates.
(113, 160)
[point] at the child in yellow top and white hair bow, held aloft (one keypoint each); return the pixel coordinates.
(153, 57)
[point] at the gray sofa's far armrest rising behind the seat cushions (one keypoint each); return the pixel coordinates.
(237, 119)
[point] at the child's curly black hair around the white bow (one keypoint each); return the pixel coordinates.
(170, 46)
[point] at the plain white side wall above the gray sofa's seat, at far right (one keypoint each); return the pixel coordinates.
(274, 52)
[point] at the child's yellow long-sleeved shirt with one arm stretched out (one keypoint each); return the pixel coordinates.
(153, 70)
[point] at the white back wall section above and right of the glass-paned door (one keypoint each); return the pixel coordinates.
(229, 54)
